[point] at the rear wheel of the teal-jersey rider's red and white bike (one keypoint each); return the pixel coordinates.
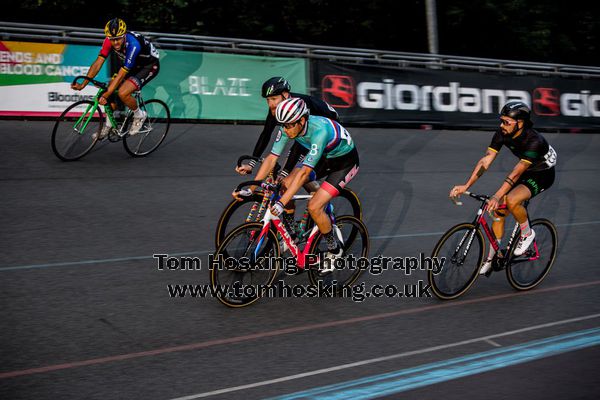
(355, 239)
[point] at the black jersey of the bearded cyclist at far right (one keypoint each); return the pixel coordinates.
(530, 146)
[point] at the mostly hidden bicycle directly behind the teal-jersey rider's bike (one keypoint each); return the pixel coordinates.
(252, 208)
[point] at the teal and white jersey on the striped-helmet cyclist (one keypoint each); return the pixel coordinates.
(323, 137)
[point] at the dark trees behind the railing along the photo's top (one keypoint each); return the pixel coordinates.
(534, 30)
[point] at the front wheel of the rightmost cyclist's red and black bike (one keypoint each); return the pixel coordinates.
(460, 251)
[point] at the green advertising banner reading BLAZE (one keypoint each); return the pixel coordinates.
(218, 86)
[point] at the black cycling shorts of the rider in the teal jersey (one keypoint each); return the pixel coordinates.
(339, 171)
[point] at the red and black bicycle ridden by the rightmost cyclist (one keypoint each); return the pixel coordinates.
(462, 249)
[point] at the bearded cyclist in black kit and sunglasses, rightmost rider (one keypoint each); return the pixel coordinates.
(533, 174)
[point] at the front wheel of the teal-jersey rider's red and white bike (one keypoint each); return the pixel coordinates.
(246, 265)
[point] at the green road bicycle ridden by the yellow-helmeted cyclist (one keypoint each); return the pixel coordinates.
(73, 133)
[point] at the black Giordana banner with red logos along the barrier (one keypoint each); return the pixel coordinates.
(370, 94)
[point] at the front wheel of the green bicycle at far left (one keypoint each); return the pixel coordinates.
(73, 130)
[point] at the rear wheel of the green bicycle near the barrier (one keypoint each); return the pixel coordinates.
(153, 131)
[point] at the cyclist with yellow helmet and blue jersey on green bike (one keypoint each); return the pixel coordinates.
(139, 65)
